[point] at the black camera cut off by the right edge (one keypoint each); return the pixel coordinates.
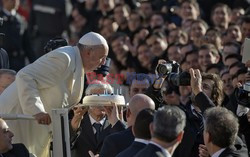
(242, 94)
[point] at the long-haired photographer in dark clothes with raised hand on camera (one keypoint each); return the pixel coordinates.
(207, 91)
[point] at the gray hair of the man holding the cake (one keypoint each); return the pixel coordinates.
(98, 85)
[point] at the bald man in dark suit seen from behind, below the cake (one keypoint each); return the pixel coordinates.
(119, 141)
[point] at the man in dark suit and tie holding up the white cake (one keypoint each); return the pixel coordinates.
(90, 126)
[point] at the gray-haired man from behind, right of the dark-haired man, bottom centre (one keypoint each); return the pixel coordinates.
(166, 131)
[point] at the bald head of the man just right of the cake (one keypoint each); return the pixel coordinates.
(136, 104)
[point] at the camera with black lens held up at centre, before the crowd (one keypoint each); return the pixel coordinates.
(174, 76)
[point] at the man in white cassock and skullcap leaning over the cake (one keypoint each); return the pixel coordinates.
(55, 80)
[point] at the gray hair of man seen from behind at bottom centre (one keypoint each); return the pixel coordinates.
(169, 122)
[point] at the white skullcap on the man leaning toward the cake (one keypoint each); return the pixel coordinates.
(92, 39)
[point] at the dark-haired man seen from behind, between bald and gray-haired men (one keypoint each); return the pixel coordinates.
(141, 132)
